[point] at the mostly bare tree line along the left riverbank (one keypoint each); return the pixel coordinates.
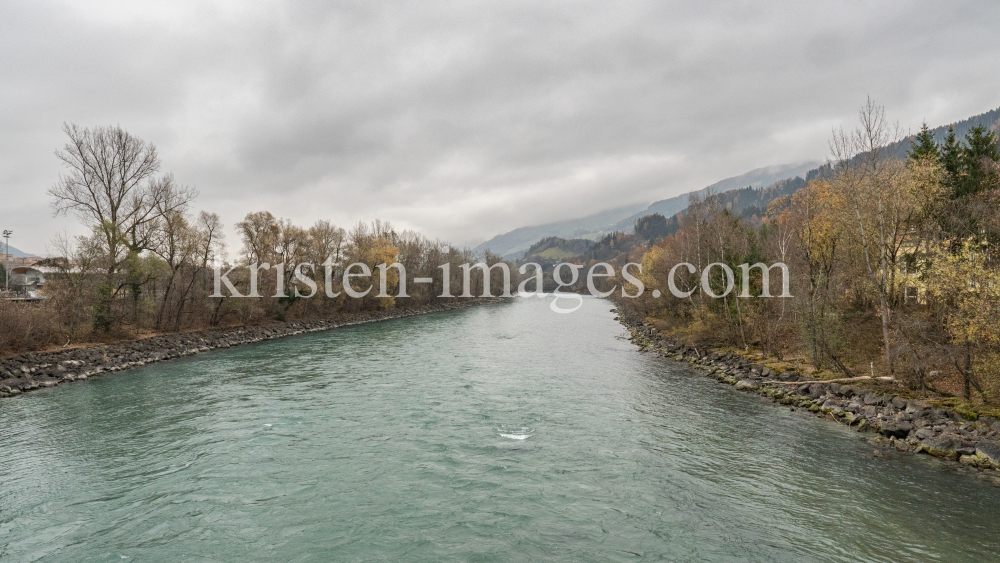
(148, 263)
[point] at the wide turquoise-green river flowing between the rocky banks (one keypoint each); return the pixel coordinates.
(496, 433)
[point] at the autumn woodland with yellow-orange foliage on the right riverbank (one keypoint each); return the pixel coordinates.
(893, 262)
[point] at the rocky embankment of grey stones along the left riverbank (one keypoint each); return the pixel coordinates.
(28, 372)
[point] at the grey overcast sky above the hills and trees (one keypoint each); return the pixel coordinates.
(463, 120)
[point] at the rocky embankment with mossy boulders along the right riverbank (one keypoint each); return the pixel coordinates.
(895, 422)
